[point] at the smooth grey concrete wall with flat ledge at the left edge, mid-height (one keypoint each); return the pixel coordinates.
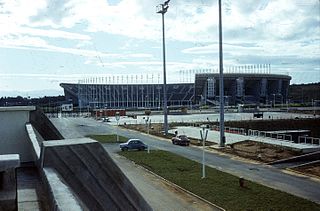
(13, 134)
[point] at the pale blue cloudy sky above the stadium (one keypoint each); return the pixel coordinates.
(46, 42)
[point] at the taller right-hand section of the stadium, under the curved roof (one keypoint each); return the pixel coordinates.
(242, 88)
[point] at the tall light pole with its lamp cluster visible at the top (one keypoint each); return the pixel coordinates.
(162, 9)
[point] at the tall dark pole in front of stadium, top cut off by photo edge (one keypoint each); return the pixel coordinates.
(221, 87)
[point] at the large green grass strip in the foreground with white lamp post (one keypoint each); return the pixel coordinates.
(218, 187)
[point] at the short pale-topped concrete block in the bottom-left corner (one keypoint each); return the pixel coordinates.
(8, 181)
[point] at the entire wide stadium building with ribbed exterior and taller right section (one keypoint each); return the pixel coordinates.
(239, 88)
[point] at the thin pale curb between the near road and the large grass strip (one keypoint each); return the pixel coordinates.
(175, 185)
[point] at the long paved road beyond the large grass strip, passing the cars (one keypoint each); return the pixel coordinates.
(267, 175)
